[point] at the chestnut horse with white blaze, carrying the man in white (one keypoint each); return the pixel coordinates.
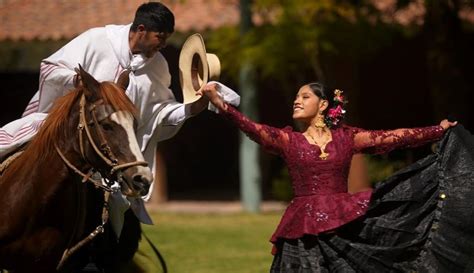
(48, 208)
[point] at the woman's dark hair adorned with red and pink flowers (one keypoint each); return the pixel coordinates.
(335, 112)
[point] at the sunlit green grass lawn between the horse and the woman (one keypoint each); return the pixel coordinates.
(207, 243)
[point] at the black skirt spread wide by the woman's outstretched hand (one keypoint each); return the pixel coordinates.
(419, 220)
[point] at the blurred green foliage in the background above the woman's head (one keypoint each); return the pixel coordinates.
(292, 37)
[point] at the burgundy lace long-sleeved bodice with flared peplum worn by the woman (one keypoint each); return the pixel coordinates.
(321, 201)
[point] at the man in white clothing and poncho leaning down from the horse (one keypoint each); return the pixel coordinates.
(106, 52)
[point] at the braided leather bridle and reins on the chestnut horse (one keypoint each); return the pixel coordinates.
(106, 154)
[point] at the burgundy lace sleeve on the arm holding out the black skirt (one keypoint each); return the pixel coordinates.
(381, 141)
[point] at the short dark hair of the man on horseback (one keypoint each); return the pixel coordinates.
(155, 17)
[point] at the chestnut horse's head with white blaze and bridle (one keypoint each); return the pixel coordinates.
(108, 140)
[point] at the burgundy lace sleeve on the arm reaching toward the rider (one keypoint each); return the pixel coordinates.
(274, 140)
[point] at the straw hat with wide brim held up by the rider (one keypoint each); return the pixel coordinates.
(196, 67)
